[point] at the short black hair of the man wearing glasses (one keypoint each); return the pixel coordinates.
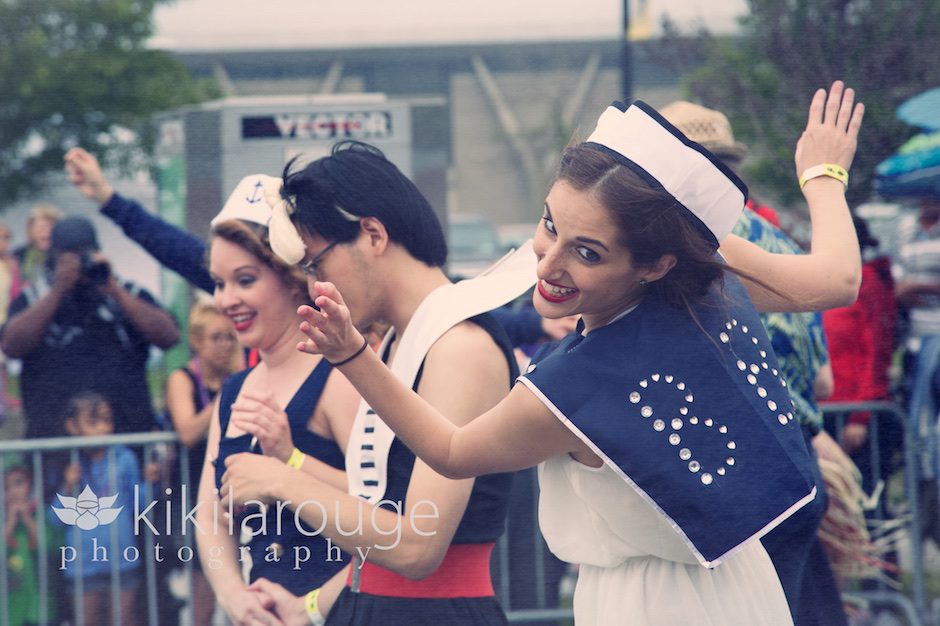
(357, 178)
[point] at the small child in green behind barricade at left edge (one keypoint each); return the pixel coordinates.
(21, 534)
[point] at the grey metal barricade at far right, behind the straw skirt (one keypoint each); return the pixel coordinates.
(915, 609)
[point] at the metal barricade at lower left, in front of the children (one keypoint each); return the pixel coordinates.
(33, 451)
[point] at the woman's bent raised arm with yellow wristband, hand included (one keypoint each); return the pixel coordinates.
(830, 275)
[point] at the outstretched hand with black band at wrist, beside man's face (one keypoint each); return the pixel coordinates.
(330, 331)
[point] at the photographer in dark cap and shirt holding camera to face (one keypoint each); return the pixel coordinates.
(80, 328)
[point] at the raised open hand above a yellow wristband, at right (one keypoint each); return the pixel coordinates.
(832, 129)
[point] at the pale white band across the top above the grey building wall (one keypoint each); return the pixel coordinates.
(218, 24)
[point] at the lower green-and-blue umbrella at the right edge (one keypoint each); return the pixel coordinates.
(914, 170)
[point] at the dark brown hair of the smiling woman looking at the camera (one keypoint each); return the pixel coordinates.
(650, 224)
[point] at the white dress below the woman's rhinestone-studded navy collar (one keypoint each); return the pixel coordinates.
(635, 569)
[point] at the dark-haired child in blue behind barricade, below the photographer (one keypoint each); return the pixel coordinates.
(93, 496)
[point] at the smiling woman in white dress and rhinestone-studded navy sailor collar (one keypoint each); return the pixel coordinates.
(665, 435)
